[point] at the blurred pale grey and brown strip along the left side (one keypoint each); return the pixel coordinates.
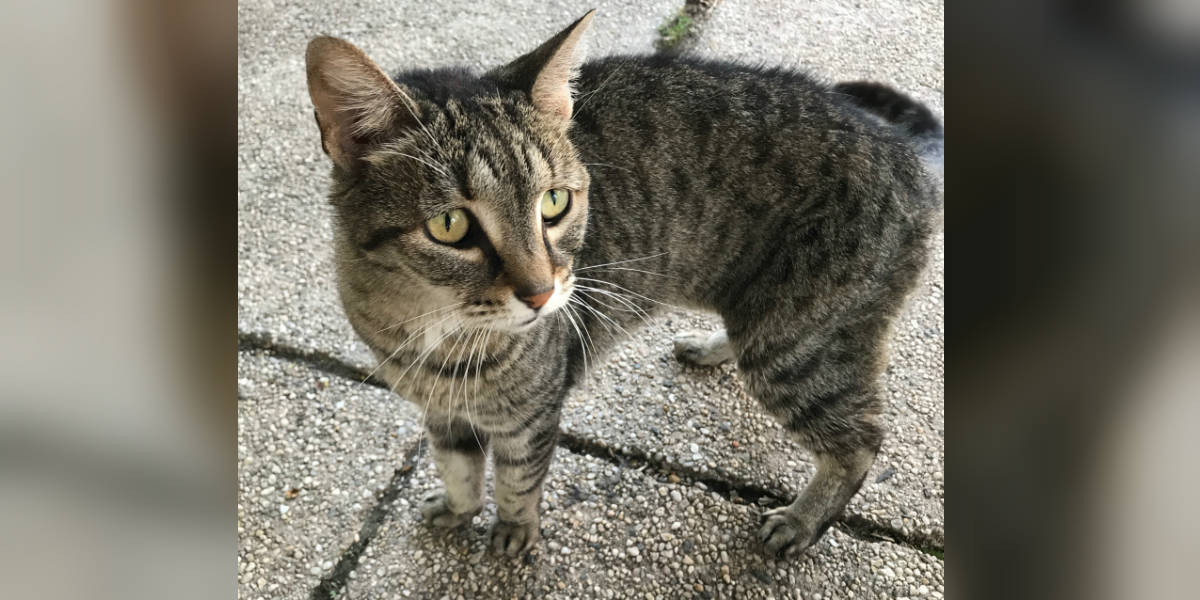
(118, 299)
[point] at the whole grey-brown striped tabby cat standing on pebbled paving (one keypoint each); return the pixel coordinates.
(475, 214)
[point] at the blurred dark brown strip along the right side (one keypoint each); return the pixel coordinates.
(1073, 212)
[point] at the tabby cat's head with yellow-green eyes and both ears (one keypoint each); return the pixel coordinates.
(460, 194)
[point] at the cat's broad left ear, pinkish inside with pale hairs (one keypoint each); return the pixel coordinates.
(357, 104)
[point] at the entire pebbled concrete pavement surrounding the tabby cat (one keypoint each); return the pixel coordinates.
(299, 419)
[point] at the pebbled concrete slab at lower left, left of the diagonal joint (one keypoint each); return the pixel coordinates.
(313, 453)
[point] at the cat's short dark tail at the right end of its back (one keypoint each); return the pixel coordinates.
(913, 118)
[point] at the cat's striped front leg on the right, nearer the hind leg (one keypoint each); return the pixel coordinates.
(523, 460)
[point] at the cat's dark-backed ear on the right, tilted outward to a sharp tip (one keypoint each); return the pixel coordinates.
(547, 74)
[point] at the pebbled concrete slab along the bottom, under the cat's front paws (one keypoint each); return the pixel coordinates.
(617, 533)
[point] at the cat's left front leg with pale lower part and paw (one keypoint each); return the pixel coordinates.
(459, 454)
